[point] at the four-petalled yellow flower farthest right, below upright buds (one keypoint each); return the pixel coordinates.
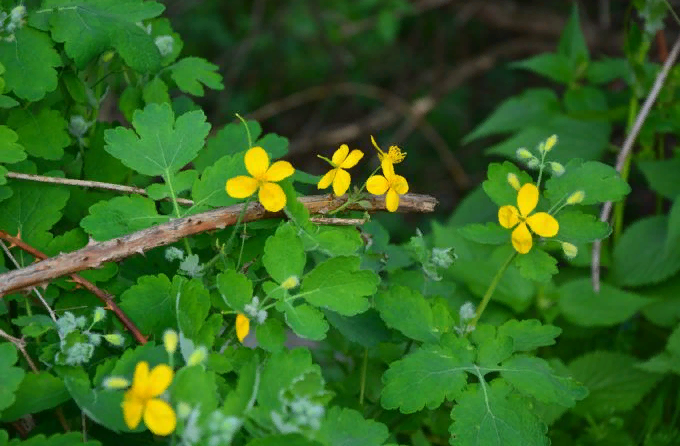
(541, 223)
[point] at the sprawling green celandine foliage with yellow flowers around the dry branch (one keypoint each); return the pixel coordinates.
(159, 285)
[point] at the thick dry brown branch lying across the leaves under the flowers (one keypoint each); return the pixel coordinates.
(95, 254)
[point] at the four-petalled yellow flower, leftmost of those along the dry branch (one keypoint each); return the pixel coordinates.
(263, 179)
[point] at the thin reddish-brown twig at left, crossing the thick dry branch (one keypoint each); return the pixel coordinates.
(105, 297)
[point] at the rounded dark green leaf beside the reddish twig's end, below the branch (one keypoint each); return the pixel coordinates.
(150, 304)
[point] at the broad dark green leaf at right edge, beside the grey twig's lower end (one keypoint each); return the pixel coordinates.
(647, 251)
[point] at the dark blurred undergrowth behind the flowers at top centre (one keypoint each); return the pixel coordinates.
(417, 73)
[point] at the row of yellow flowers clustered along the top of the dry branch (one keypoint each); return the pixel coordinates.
(263, 178)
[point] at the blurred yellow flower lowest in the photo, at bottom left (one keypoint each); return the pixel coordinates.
(141, 400)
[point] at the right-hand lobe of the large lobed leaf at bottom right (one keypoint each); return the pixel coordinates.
(534, 377)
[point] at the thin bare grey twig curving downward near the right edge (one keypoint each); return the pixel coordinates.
(627, 148)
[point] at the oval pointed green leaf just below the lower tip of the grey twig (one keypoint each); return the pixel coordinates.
(582, 306)
